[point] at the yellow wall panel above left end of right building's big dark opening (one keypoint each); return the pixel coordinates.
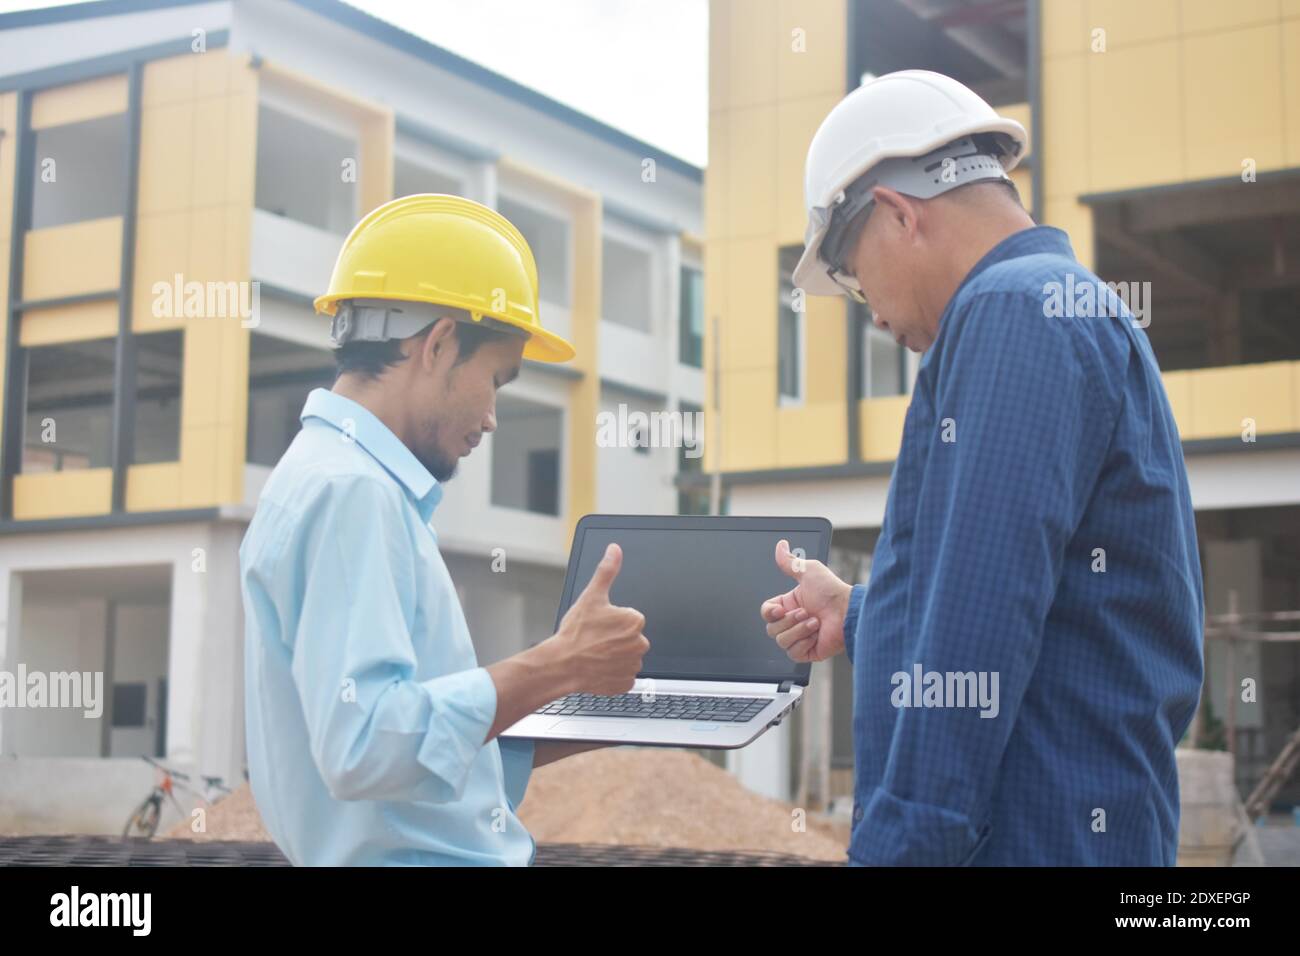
(1136, 140)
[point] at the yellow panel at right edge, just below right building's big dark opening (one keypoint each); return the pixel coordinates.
(1224, 397)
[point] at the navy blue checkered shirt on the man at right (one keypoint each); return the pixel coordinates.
(1029, 650)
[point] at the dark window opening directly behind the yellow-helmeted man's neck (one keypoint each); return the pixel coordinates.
(281, 375)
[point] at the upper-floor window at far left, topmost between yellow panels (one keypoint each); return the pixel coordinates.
(80, 172)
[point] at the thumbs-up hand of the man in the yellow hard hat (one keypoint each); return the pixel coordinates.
(601, 643)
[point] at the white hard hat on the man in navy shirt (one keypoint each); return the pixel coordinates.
(902, 128)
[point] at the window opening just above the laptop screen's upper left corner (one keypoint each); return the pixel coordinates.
(526, 456)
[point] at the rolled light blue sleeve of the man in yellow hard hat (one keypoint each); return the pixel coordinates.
(376, 733)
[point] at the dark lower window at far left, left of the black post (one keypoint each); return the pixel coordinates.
(68, 421)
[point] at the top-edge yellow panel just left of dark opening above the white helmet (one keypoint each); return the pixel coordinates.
(820, 70)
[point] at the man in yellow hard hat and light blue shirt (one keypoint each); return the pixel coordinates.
(371, 728)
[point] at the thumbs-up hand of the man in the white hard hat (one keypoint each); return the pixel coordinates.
(808, 622)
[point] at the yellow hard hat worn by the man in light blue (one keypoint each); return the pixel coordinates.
(444, 250)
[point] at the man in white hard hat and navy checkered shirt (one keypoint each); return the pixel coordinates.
(1029, 650)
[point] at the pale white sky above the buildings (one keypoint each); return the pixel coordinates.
(638, 66)
